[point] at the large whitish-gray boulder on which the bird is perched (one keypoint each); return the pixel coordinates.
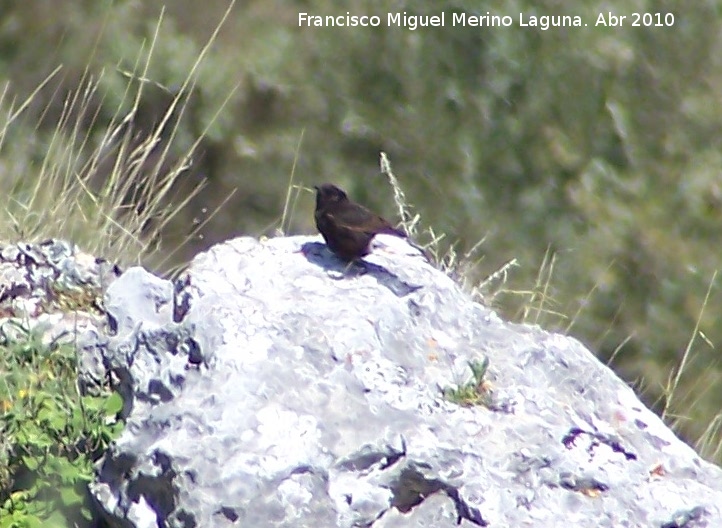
(281, 389)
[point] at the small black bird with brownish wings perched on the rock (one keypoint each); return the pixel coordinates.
(347, 227)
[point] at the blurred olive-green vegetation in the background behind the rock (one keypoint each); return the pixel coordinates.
(599, 146)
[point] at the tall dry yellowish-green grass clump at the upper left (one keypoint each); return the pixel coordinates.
(112, 192)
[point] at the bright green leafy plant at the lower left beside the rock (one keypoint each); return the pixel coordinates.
(51, 434)
